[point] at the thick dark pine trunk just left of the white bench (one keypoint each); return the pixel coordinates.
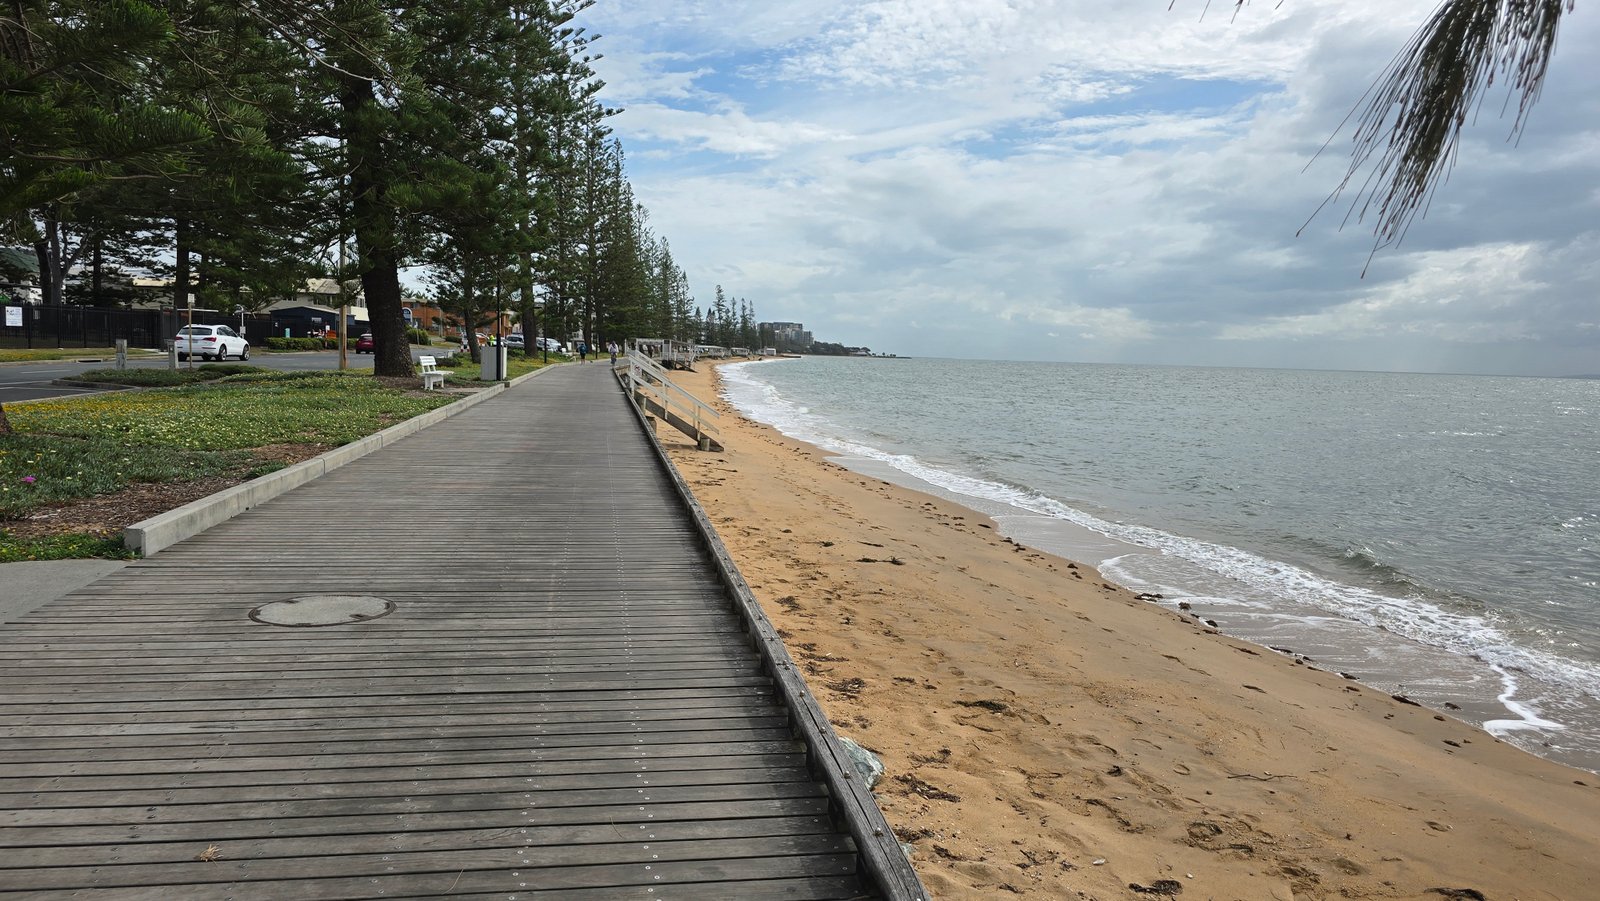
(375, 230)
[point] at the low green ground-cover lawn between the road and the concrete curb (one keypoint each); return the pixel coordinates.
(231, 428)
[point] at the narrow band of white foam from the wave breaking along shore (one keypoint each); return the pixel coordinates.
(1415, 619)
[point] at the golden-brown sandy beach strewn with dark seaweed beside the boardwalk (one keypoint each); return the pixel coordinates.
(1049, 735)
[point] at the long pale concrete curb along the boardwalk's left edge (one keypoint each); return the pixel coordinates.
(164, 531)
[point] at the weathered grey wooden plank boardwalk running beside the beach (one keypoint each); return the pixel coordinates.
(567, 700)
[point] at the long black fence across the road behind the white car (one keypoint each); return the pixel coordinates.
(38, 326)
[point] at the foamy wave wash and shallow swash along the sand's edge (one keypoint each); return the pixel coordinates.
(1426, 649)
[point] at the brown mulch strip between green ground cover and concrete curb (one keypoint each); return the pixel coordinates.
(108, 515)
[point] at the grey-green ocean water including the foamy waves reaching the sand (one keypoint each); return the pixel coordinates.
(1430, 535)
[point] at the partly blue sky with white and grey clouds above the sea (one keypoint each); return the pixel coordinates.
(1098, 182)
